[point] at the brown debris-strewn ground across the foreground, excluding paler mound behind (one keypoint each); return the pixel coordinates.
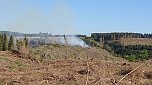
(19, 71)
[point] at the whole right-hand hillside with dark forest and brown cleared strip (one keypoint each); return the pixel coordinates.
(131, 46)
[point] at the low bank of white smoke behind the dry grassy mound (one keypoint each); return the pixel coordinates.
(71, 40)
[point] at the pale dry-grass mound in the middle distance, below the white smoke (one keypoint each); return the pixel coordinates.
(59, 52)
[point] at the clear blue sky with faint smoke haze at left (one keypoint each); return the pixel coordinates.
(76, 16)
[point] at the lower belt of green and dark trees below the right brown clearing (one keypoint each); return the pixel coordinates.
(130, 52)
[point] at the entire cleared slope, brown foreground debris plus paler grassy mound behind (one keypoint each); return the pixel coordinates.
(68, 65)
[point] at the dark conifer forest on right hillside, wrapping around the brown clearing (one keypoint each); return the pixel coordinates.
(132, 53)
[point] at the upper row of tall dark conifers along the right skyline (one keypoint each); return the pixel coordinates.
(117, 36)
